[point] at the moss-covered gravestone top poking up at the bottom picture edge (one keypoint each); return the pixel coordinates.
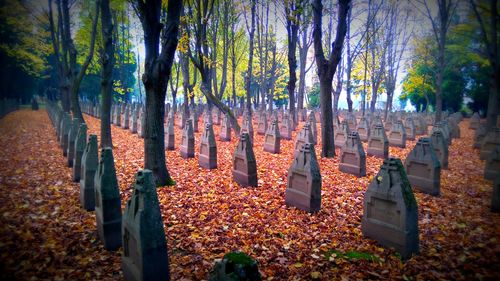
(235, 266)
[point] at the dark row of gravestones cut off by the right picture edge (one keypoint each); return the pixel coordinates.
(488, 144)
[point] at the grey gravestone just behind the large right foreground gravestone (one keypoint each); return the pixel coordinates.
(423, 168)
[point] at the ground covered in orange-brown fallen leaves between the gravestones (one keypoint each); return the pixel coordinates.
(44, 234)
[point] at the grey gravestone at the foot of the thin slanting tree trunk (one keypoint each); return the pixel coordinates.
(244, 165)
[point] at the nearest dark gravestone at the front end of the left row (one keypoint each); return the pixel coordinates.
(145, 253)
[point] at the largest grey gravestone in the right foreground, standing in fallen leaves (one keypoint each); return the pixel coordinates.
(390, 211)
